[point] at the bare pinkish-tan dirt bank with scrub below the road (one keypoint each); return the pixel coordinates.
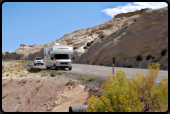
(24, 90)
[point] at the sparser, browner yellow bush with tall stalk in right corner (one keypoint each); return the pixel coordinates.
(152, 96)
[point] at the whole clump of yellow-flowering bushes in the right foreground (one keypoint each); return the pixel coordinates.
(138, 95)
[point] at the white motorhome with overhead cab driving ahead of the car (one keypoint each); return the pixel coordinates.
(58, 56)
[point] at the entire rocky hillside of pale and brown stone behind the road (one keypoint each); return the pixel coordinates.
(134, 39)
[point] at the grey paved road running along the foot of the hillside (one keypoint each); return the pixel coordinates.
(105, 70)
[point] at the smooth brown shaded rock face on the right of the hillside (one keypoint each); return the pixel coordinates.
(148, 35)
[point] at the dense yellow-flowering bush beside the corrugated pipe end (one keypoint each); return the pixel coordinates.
(118, 96)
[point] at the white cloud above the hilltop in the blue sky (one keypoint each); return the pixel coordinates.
(133, 7)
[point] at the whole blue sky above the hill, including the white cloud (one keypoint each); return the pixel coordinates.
(32, 23)
